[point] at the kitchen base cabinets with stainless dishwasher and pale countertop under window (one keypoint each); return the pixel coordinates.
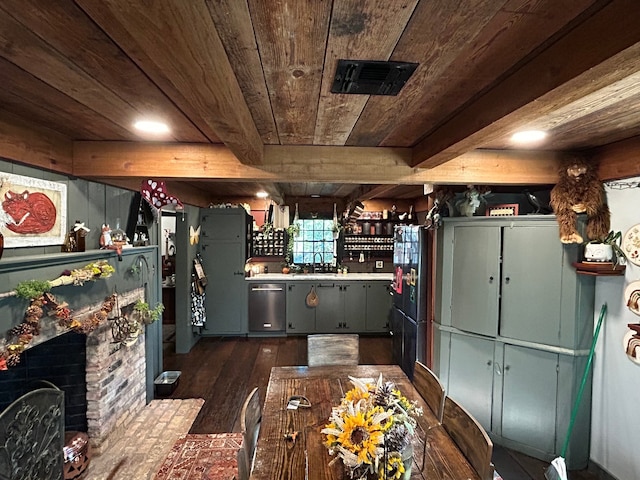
(347, 303)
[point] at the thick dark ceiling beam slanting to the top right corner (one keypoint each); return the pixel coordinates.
(538, 86)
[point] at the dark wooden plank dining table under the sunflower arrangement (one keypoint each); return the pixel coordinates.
(291, 447)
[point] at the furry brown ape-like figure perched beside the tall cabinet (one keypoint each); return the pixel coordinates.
(580, 191)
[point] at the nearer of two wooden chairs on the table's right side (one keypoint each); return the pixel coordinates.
(470, 437)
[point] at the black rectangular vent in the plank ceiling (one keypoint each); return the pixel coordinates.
(367, 77)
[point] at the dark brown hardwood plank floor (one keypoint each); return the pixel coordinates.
(223, 371)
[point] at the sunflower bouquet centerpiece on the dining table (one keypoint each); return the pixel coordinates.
(371, 431)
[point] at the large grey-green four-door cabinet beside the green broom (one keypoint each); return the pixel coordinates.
(513, 329)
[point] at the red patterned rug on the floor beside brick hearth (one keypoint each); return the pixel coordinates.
(206, 456)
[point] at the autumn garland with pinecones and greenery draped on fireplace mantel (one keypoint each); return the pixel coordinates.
(19, 337)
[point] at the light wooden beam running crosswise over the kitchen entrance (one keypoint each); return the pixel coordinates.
(295, 164)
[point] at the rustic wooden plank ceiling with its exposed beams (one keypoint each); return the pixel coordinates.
(245, 86)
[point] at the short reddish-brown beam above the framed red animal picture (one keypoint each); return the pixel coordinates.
(24, 142)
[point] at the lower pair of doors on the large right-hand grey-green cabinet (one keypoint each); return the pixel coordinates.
(511, 390)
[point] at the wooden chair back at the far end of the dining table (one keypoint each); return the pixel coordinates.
(333, 349)
